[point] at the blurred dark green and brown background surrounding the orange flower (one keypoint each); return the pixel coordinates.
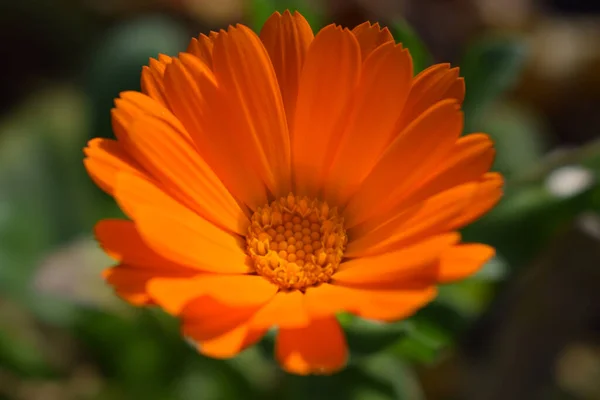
(526, 327)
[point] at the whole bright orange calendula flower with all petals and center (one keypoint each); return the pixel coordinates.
(276, 180)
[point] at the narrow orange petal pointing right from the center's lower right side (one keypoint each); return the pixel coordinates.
(402, 265)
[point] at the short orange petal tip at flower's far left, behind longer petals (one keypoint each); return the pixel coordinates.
(105, 158)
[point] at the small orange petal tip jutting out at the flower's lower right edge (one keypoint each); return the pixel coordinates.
(459, 262)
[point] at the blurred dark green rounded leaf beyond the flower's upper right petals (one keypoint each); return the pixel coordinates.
(490, 67)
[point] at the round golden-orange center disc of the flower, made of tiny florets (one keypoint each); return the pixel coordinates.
(296, 242)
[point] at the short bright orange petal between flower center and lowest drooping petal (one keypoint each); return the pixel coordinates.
(285, 310)
